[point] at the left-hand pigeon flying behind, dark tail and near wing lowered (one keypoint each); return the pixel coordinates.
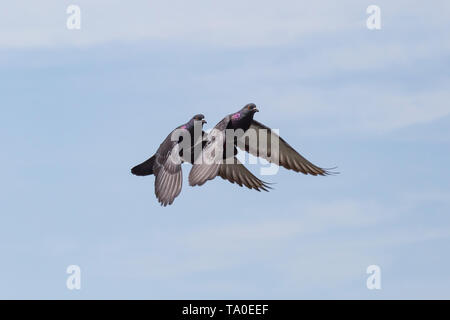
(166, 163)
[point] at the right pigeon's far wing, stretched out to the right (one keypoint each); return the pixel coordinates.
(283, 155)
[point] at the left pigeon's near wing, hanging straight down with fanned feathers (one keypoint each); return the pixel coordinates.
(167, 169)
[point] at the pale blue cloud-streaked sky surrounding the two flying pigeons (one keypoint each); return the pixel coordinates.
(80, 108)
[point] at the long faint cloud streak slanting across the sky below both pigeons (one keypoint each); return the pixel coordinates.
(219, 247)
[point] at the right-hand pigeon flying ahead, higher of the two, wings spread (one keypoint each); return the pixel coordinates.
(219, 141)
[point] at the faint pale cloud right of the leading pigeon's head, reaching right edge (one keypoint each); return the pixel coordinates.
(367, 108)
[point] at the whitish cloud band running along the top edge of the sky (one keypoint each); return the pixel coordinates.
(229, 23)
